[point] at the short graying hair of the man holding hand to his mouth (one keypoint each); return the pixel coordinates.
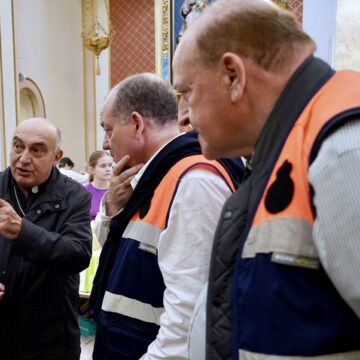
(149, 95)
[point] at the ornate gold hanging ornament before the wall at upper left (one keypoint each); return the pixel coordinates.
(94, 35)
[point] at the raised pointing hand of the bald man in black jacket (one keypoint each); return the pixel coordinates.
(10, 221)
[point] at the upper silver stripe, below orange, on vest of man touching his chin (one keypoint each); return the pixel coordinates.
(143, 232)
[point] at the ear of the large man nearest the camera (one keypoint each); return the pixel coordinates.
(234, 75)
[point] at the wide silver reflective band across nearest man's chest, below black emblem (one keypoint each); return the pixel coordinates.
(285, 235)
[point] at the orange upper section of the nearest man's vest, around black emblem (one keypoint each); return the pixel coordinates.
(339, 94)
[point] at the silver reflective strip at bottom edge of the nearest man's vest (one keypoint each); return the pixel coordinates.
(247, 355)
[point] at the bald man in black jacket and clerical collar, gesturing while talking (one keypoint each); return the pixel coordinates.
(45, 241)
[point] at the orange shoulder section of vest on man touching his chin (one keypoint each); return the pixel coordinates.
(165, 192)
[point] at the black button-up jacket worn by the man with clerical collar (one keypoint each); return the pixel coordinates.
(38, 315)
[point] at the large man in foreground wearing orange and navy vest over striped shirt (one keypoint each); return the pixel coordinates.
(284, 280)
